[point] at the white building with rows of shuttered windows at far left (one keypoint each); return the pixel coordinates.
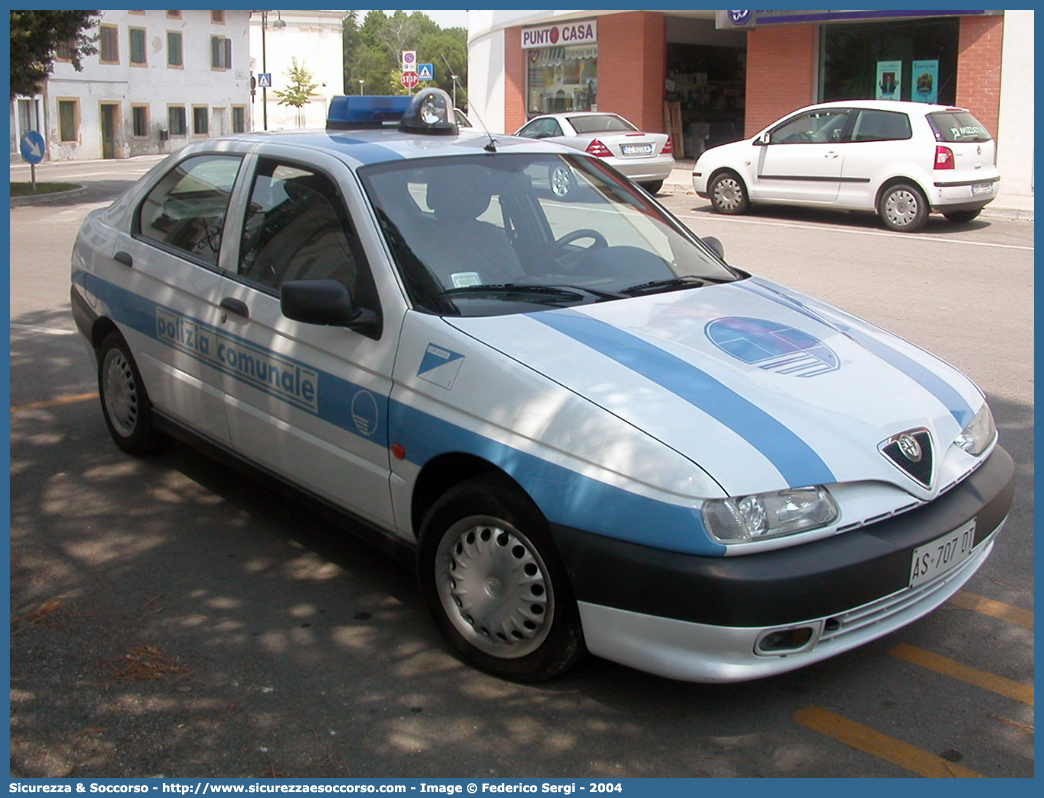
(160, 80)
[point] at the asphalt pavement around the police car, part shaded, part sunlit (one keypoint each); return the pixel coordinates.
(171, 618)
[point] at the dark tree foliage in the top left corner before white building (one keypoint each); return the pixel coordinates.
(35, 40)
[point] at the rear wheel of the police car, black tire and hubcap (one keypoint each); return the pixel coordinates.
(125, 403)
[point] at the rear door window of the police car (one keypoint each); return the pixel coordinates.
(186, 210)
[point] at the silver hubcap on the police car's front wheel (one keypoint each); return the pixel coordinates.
(494, 588)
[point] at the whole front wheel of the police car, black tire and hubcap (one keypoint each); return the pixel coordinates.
(493, 582)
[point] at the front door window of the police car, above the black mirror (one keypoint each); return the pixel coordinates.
(298, 229)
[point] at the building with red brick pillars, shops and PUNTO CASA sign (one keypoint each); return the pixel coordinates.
(725, 76)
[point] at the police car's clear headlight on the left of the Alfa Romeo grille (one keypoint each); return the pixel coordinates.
(769, 515)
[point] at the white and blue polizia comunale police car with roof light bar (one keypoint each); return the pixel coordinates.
(589, 432)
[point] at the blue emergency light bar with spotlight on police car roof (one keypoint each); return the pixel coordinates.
(430, 112)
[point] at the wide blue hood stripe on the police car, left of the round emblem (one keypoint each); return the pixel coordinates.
(792, 457)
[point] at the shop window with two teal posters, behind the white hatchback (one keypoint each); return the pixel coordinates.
(903, 61)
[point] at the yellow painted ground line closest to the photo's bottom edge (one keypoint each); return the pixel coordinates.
(874, 743)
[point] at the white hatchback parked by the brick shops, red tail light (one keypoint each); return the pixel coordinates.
(901, 160)
